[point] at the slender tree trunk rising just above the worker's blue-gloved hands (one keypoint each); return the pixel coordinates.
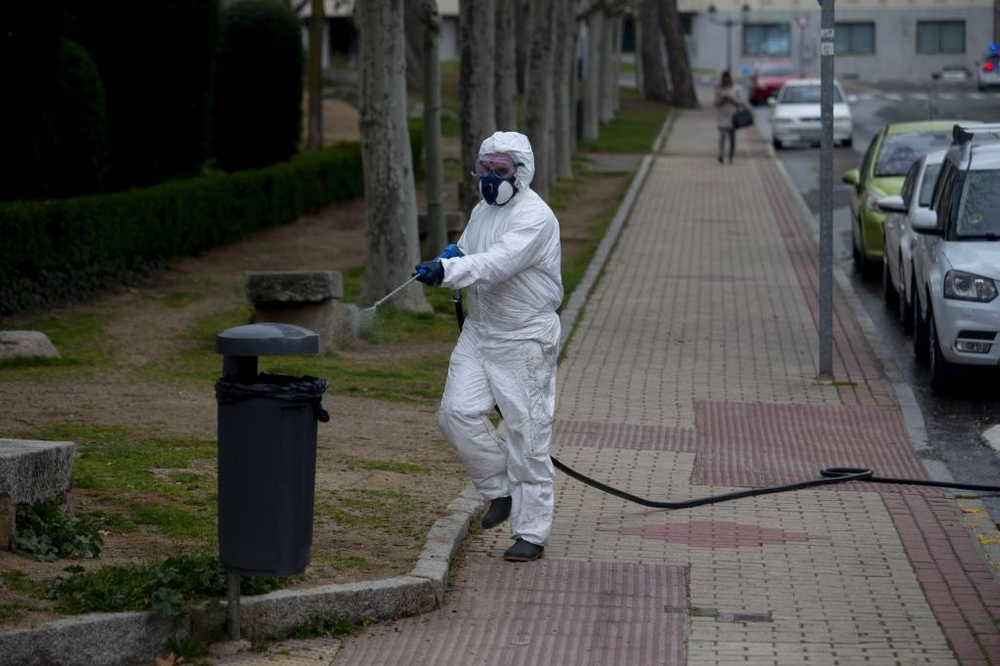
(437, 232)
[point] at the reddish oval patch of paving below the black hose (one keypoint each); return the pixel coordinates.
(708, 534)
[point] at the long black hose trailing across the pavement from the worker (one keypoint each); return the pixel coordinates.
(828, 476)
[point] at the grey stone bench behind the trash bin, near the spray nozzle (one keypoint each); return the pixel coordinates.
(311, 299)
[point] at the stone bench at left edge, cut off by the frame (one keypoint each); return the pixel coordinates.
(32, 470)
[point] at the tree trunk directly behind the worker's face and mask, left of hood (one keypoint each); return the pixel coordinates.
(477, 37)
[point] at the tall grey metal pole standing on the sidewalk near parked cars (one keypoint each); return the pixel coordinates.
(826, 192)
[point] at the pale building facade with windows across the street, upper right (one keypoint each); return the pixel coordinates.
(875, 40)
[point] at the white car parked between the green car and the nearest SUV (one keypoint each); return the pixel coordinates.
(899, 238)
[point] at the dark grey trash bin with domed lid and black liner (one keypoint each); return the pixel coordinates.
(266, 451)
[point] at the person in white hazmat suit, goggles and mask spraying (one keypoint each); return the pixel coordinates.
(509, 265)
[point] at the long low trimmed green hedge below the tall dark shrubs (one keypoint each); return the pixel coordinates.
(56, 250)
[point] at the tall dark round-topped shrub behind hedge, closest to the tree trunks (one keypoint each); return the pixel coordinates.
(257, 113)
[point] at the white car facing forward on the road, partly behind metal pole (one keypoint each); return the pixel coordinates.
(796, 111)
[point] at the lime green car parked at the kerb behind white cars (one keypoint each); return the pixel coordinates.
(889, 156)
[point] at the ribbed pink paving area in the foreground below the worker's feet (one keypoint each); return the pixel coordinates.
(538, 614)
